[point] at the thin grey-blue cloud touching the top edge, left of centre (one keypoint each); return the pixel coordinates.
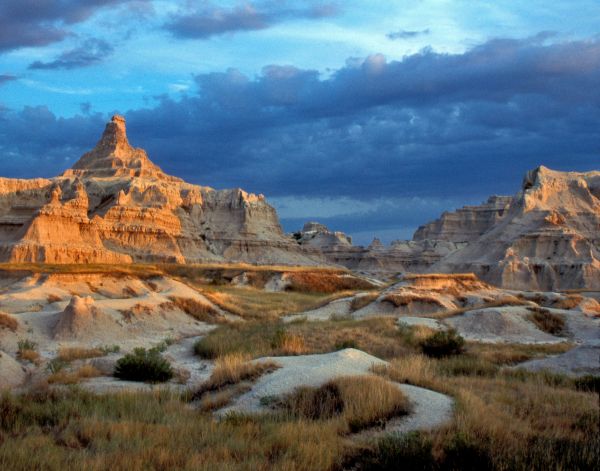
(211, 20)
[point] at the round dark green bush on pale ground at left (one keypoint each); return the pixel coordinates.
(144, 365)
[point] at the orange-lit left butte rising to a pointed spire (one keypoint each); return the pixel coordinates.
(116, 206)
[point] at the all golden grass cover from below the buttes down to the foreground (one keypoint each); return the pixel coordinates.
(504, 418)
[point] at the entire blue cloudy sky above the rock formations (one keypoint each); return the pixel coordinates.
(372, 117)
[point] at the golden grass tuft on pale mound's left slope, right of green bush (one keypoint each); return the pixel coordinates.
(232, 369)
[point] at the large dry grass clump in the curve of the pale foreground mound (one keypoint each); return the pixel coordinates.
(358, 401)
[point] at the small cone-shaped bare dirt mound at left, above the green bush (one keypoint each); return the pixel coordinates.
(83, 320)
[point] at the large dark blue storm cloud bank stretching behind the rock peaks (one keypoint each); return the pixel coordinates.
(437, 126)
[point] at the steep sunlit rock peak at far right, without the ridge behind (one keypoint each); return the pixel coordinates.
(549, 238)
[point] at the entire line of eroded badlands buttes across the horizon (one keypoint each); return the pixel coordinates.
(116, 206)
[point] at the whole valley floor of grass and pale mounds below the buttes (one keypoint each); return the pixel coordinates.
(293, 369)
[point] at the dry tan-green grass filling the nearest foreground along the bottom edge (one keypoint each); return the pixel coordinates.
(503, 420)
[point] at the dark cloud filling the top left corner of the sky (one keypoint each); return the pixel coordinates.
(26, 23)
